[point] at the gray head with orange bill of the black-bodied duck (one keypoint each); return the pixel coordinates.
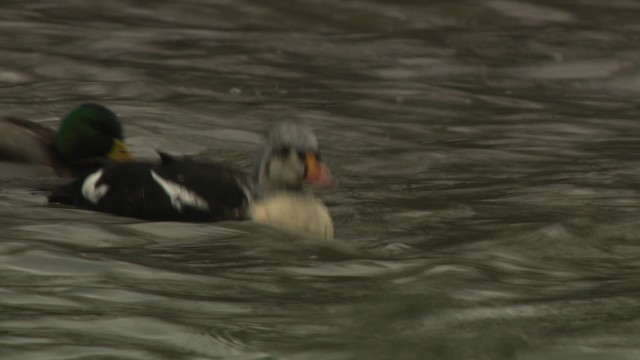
(290, 158)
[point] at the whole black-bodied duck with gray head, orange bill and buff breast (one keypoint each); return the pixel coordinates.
(279, 193)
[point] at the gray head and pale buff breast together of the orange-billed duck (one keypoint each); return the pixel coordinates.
(289, 168)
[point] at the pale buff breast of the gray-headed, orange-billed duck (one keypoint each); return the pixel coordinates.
(299, 214)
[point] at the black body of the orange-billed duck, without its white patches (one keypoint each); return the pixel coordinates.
(133, 191)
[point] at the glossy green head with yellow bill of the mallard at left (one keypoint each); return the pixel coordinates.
(88, 132)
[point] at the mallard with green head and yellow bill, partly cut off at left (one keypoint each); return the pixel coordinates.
(88, 137)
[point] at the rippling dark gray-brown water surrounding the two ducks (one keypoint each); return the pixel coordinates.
(486, 151)
